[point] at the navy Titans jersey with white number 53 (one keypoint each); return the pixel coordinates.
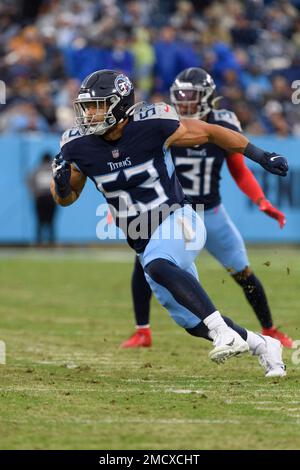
(135, 173)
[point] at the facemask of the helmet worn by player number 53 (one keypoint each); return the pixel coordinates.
(95, 115)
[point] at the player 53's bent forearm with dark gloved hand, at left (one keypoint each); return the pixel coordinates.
(67, 182)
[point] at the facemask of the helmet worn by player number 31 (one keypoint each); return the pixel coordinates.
(195, 99)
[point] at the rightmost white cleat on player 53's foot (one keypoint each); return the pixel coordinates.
(271, 359)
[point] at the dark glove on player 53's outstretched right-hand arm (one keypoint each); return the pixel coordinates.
(271, 162)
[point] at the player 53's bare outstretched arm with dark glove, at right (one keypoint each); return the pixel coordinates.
(192, 132)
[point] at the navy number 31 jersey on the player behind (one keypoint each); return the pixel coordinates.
(199, 168)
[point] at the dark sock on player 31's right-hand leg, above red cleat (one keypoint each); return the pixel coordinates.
(256, 296)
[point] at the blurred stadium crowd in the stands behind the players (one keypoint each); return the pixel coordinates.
(250, 47)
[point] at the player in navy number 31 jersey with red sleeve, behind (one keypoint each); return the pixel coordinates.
(199, 172)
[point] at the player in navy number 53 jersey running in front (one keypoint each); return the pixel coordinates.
(124, 148)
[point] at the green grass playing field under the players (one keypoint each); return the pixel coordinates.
(66, 385)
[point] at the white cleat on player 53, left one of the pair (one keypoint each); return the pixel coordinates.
(227, 344)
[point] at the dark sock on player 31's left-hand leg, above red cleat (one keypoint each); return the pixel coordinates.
(141, 294)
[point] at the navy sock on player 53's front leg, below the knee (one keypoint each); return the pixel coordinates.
(183, 286)
